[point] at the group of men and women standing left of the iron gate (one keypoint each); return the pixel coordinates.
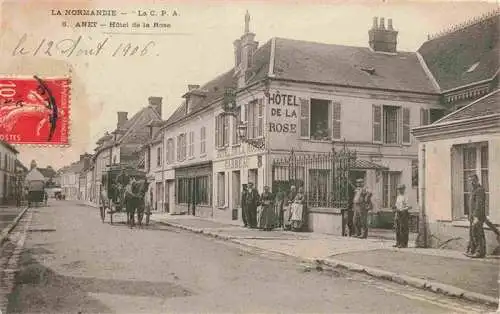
(268, 211)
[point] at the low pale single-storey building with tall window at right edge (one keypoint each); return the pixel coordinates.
(463, 143)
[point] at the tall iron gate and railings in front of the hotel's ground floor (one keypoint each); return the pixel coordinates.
(323, 176)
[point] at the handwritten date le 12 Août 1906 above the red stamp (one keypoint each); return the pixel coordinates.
(81, 46)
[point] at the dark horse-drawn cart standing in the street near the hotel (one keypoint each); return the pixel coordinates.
(113, 197)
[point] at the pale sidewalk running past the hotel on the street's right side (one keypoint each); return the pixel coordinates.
(442, 271)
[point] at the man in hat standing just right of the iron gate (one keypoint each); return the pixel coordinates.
(361, 203)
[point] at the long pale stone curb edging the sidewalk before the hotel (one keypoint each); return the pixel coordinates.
(433, 286)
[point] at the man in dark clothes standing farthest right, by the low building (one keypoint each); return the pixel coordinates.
(477, 217)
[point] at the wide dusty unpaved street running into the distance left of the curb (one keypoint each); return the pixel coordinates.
(73, 263)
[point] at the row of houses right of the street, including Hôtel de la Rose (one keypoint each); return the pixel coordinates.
(408, 115)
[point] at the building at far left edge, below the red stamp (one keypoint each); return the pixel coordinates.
(8, 159)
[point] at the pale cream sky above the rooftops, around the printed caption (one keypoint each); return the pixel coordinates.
(200, 48)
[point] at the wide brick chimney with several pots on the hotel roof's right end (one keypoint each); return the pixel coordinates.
(382, 39)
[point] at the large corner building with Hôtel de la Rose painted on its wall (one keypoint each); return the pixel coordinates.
(306, 97)
